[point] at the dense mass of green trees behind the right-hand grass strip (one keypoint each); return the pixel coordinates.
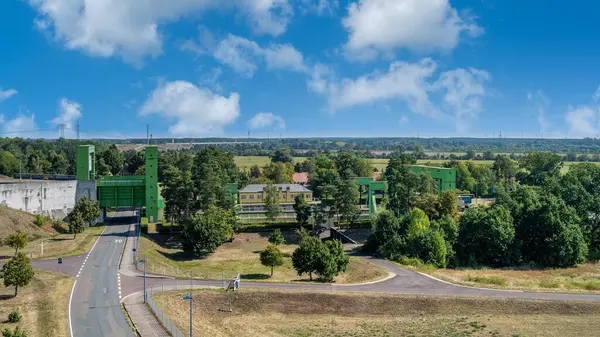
(540, 217)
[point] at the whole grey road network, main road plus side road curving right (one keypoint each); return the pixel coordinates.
(95, 304)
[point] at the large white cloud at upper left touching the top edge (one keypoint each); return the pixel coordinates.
(130, 28)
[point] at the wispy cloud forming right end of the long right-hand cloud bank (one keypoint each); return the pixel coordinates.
(464, 91)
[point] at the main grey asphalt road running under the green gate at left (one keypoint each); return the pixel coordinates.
(95, 308)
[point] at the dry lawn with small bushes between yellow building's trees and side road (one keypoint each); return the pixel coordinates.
(242, 256)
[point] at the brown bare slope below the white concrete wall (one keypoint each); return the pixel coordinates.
(12, 220)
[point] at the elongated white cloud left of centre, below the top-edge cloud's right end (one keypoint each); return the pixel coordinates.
(243, 55)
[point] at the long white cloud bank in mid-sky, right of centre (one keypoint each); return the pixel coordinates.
(461, 90)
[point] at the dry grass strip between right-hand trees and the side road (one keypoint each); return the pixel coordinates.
(583, 278)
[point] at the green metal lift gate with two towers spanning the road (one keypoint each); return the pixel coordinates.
(123, 191)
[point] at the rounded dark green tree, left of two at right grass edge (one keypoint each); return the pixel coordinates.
(486, 236)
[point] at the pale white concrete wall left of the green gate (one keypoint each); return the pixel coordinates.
(52, 198)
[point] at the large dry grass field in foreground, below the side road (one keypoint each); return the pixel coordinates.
(286, 313)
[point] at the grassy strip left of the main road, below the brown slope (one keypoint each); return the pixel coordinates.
(62, 245)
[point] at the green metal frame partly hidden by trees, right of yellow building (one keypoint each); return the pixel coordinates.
(444, 177)
